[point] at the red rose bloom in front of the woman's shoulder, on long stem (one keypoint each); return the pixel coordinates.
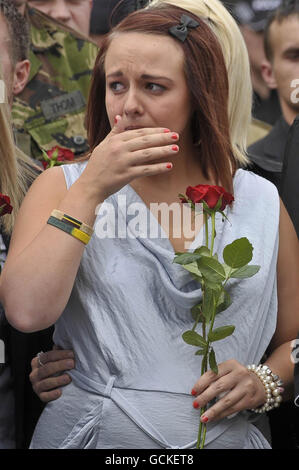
(210, 194)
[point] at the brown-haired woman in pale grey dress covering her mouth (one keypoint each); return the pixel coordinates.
(157, 123)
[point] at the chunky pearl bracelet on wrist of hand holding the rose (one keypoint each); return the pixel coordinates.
(272, 384)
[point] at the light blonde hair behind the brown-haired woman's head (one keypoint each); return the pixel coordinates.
(237, 63)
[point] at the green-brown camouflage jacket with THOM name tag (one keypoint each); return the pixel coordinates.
(50, 110)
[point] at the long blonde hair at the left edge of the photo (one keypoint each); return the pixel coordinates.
(16, 169)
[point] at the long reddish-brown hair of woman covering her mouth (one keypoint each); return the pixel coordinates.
(207, 80)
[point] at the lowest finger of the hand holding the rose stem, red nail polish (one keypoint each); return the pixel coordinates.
(233, 402)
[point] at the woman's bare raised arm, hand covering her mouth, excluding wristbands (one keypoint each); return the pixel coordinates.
(43, 261)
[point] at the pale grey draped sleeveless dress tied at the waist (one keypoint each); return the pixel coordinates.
(130, 304)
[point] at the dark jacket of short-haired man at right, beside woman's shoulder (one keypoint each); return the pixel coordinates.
(267, 154)
